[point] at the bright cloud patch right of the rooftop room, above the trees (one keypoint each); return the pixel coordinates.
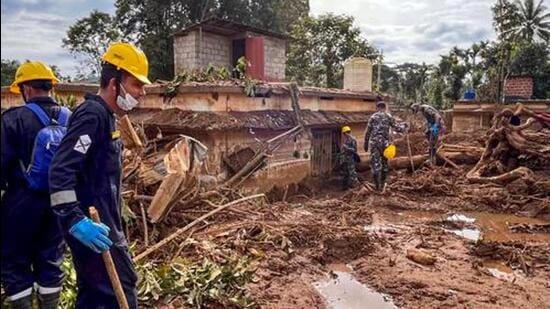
(416, 31)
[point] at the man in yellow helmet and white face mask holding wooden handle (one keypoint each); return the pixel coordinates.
(86, 171)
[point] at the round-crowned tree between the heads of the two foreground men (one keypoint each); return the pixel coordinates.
(89, 37)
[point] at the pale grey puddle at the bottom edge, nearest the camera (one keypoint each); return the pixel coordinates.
(344, 292)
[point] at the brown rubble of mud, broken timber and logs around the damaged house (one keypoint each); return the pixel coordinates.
(288, 238)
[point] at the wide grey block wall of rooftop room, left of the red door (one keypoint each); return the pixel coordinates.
(190, 52)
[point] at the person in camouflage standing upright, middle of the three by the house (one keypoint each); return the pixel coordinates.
(377, 138)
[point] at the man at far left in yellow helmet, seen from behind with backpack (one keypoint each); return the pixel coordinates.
(32, 243)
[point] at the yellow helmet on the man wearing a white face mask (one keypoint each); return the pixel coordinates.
(129, 58)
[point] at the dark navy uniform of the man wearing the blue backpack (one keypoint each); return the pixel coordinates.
(32, 243)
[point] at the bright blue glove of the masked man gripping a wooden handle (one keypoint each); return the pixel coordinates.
(93, 235)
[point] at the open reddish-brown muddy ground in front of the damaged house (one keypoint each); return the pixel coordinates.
(318, 232)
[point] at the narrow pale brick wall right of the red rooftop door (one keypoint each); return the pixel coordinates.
(275, 59)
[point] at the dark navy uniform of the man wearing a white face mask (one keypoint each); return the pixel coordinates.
(86, 171)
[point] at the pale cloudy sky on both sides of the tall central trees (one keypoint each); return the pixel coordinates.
(406, 30)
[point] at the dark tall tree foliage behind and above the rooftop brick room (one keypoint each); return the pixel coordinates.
(152, 23)
